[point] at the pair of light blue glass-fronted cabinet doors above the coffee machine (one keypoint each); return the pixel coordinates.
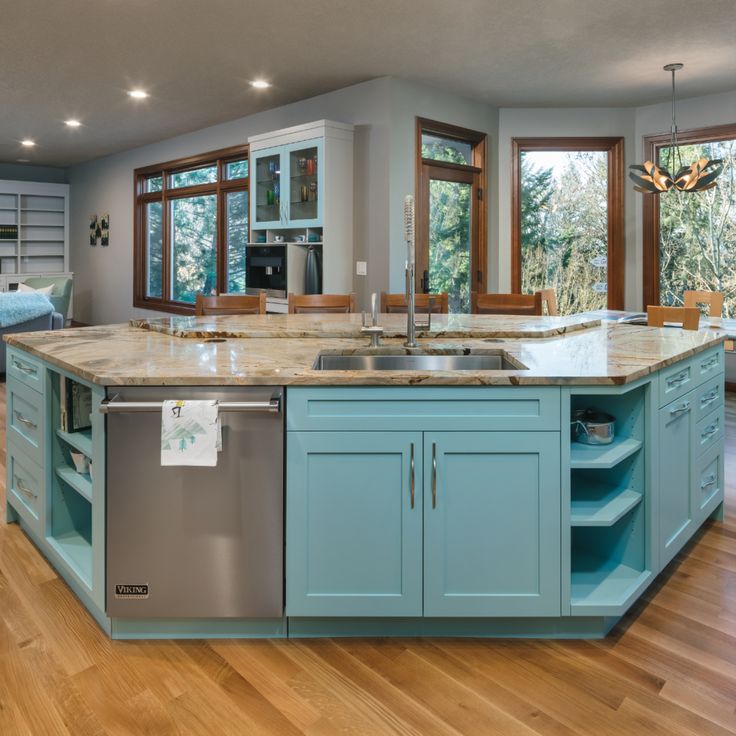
(287, 186)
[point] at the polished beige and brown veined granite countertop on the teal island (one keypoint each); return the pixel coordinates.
(590, 353)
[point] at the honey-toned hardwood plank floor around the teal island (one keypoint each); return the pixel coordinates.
(669, 668)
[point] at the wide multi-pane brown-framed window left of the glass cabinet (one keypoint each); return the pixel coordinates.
(191, 229)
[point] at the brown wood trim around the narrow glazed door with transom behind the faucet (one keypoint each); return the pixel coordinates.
(479, 166)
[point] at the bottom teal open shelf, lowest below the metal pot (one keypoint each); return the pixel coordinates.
(603, 583)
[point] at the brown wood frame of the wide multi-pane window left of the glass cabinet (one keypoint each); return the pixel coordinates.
(220, 158)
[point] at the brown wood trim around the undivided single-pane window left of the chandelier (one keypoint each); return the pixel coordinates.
(614, 146)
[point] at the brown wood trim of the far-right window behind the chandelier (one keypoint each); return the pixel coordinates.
(652, 144)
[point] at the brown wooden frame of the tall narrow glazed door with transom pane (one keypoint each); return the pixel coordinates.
(478, 168)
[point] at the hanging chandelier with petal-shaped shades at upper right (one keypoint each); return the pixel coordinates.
(696, 177)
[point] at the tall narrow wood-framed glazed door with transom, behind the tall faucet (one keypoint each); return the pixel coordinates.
(451, 222)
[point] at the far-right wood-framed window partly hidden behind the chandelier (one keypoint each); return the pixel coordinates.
(689, 238)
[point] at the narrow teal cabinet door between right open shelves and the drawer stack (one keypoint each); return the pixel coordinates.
(676, 522)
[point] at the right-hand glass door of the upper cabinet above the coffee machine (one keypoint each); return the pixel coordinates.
(305, 183)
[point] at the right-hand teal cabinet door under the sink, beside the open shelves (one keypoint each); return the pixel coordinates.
(492, 524)
